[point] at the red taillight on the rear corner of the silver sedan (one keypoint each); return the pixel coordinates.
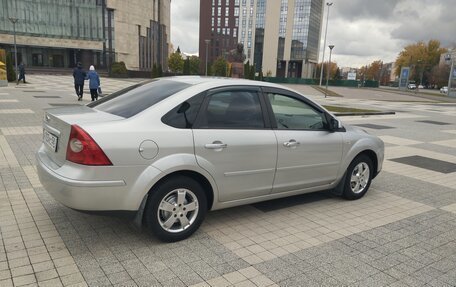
(82, 149)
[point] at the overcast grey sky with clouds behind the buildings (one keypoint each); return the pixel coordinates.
(361, 30)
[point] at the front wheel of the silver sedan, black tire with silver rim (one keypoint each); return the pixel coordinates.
(358, 178)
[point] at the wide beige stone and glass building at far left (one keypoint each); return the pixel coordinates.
(60, 33)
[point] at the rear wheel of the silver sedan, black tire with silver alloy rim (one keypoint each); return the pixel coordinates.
(169, 219)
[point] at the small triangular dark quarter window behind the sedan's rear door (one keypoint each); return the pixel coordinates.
(184, 115)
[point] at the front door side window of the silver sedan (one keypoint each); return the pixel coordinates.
(291, 113)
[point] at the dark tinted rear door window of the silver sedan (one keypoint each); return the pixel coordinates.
(235, 109)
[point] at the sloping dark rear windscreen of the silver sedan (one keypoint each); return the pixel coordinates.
(135, 99)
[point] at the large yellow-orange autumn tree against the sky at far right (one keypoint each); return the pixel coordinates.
(421, 58)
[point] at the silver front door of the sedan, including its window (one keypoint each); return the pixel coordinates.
(309, 155)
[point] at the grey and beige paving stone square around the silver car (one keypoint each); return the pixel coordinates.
(402, 233)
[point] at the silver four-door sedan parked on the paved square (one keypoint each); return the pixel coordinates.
(169, 150)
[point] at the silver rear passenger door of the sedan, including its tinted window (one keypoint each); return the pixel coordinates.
(235, 144)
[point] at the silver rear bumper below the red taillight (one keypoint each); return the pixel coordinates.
(84, 195)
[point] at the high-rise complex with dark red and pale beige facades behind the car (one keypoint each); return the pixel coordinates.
(280, 37)
